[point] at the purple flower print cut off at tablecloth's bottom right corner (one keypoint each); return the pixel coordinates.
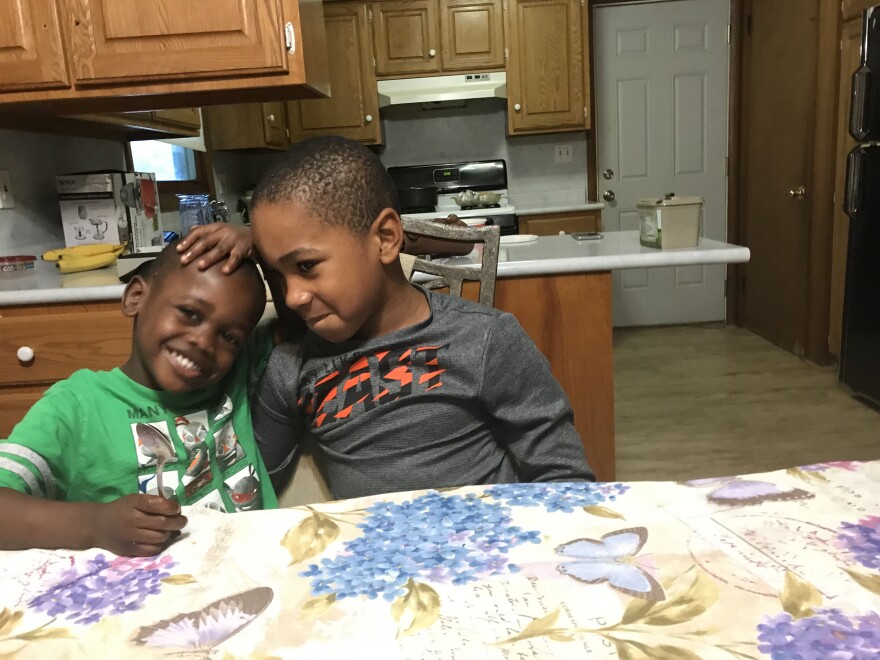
(828, 633)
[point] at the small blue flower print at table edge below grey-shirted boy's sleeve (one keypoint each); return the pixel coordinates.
(556, 496)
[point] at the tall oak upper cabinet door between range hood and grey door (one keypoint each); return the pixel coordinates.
(545, 72)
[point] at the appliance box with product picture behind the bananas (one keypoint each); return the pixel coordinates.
(110, 207)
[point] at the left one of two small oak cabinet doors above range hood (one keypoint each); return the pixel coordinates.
(406, 37)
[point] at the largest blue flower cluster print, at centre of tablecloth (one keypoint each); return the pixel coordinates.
(439, 538)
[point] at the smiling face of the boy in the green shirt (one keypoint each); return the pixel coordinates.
(190, 325)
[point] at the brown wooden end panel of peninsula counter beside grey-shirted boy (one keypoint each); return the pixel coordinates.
(569, 319)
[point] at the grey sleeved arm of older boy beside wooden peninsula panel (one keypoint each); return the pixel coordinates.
(536, 419)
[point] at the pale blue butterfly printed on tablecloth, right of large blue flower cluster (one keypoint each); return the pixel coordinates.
(610, 560)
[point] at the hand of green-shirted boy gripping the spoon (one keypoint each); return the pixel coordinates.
(137, 525)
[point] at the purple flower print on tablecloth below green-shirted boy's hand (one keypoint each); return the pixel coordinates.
(94, 588)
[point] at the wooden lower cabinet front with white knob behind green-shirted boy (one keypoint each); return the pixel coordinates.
(64, 338)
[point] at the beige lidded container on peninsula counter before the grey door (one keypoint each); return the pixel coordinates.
(669, 222)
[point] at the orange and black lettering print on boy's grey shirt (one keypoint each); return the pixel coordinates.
(370, 381)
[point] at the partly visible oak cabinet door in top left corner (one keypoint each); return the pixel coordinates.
(30, 46)
